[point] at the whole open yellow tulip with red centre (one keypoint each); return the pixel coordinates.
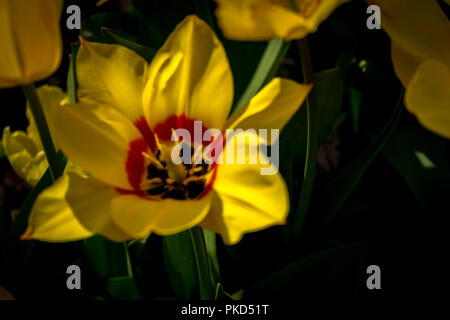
(120, 134)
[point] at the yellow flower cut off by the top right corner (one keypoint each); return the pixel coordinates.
(420, 34)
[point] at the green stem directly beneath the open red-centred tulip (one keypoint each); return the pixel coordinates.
(202, 263)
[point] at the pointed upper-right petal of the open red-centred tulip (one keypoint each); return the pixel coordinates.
(272, 107)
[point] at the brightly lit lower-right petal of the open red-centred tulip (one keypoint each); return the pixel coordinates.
(244, 200)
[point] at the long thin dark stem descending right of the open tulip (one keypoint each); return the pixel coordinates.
(311, 147)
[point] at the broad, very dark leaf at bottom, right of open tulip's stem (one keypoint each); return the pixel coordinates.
(334, 272)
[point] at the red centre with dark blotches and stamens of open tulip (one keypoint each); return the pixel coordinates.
(150, 169)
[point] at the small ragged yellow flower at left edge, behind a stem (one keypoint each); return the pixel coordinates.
(24, 149)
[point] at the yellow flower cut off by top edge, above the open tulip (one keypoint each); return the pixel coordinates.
(256, 20)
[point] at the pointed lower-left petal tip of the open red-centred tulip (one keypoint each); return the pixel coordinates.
(51, 219)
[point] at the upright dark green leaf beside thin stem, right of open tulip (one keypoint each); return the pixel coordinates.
(326, 103)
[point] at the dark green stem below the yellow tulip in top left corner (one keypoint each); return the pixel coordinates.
(44, 133)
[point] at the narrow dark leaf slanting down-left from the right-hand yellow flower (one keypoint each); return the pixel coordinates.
(334, 194)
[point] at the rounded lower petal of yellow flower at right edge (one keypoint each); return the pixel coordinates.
(428, 96)
